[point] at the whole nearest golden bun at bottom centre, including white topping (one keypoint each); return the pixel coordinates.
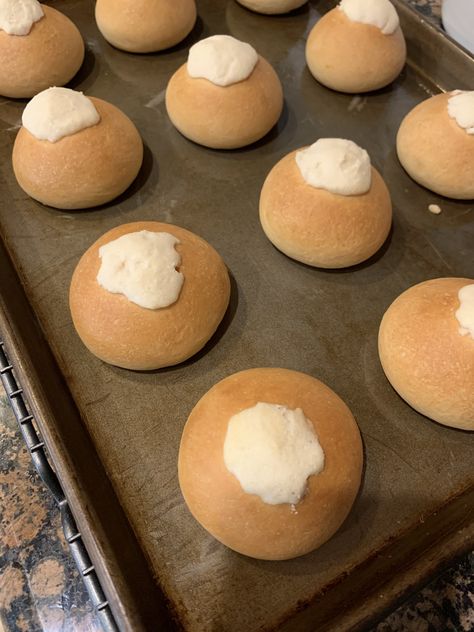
(270, 463)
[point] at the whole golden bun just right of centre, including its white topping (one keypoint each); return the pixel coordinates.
(339, 220)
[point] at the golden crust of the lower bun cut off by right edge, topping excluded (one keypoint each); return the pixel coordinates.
(424, 356)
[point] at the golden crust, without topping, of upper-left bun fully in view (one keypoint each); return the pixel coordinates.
(86, 169)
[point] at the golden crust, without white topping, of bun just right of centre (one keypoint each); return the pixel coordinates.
(320, 228)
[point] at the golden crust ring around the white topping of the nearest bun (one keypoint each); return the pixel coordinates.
(242, 521)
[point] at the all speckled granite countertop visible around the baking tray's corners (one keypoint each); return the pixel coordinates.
(40, 588)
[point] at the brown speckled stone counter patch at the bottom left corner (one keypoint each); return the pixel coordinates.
(40, 588)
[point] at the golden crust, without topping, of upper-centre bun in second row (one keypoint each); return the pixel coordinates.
(225, 117)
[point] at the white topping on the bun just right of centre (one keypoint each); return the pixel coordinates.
(337, 165)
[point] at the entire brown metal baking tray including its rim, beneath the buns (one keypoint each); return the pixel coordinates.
(113, 435)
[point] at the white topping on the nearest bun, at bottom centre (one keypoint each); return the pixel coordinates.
(272, 450)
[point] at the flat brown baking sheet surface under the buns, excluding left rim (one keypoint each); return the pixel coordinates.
(282, 313)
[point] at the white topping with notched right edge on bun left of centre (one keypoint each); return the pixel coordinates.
(142, 266)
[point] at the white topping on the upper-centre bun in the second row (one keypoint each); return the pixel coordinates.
(222, 59)
